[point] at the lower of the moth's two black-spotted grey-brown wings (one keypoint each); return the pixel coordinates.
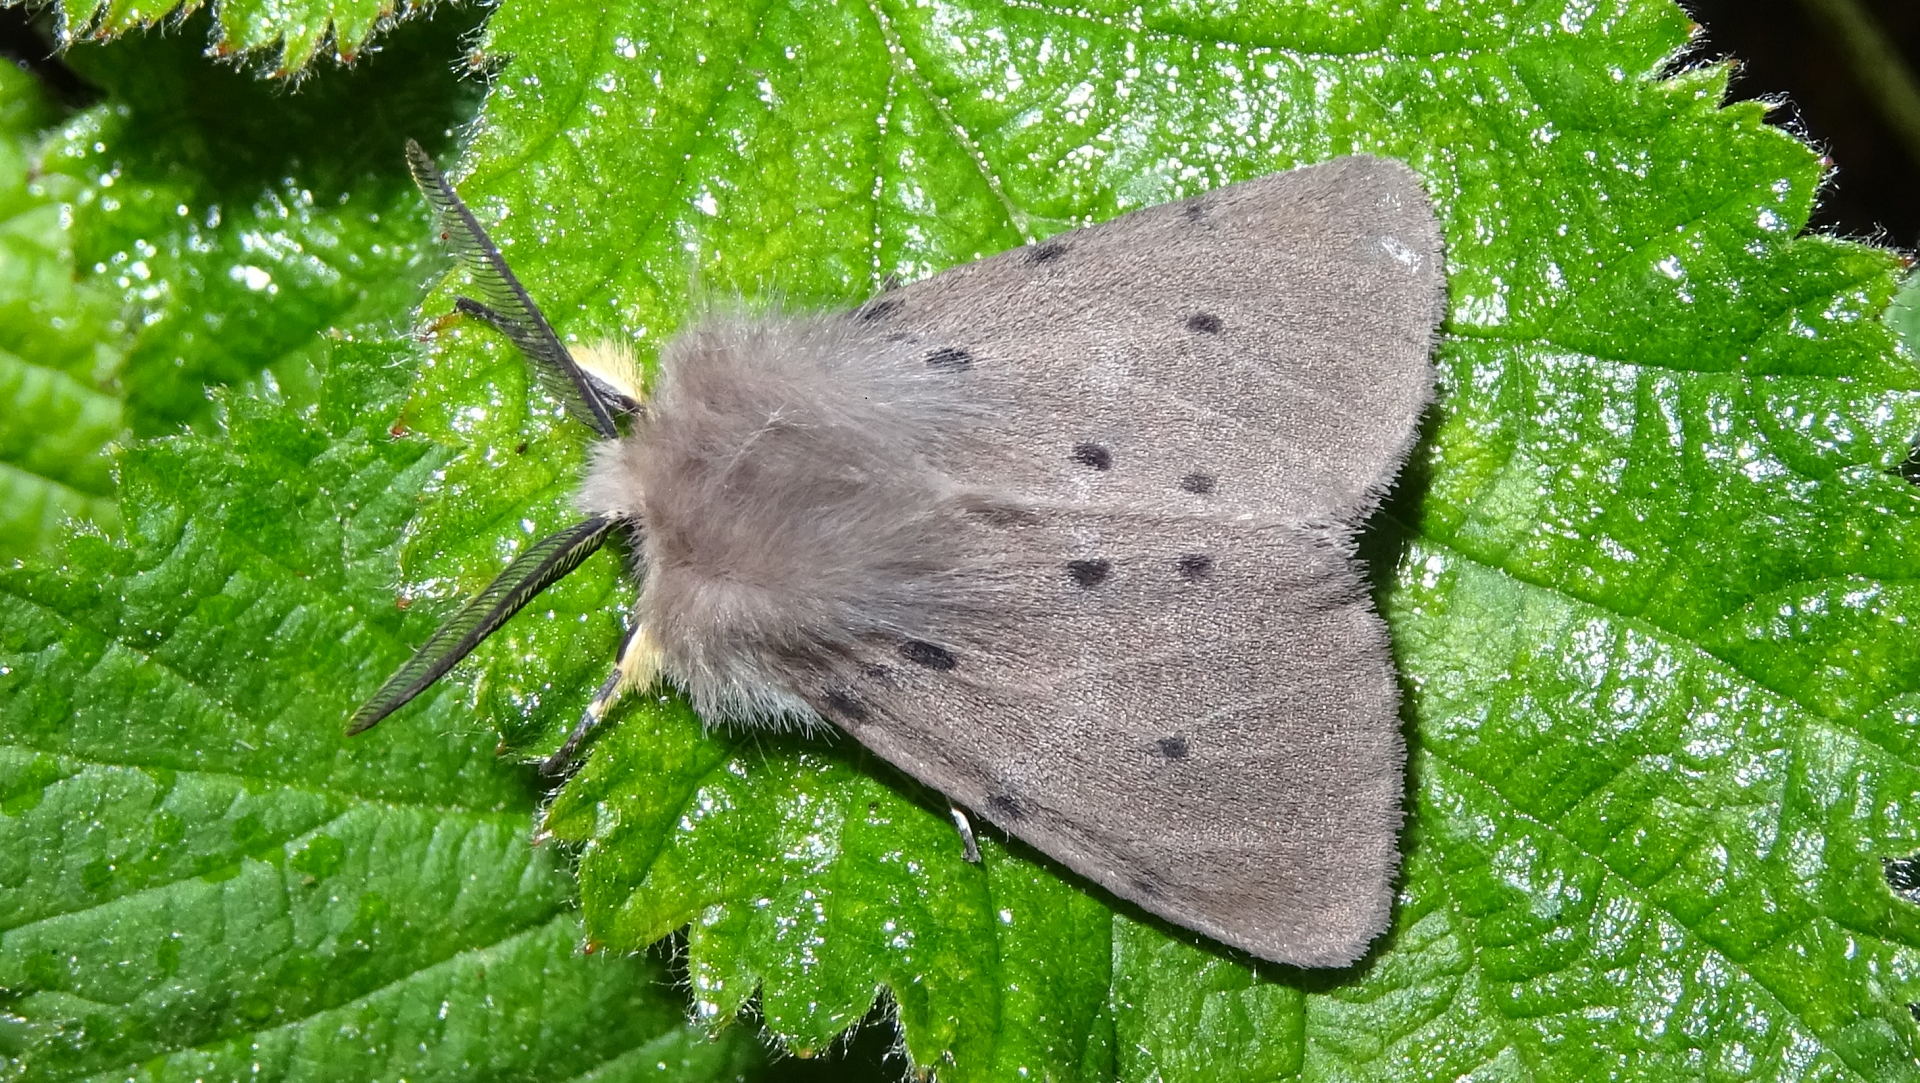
(1209, 733)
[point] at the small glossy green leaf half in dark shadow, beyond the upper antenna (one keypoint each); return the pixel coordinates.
(237, 222)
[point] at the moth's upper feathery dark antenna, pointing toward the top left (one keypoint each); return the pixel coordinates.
(512, 310)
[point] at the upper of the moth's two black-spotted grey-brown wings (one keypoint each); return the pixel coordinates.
(1260, 350)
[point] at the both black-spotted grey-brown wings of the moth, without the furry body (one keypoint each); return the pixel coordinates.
(1182, 690)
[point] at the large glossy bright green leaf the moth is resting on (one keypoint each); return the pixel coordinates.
(1650, 600)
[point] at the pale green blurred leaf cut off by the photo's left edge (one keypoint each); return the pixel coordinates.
(60, 352)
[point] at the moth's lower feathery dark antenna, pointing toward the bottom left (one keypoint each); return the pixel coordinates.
(539, 567)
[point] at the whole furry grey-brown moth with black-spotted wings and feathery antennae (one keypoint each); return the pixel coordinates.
(1067, 535)
